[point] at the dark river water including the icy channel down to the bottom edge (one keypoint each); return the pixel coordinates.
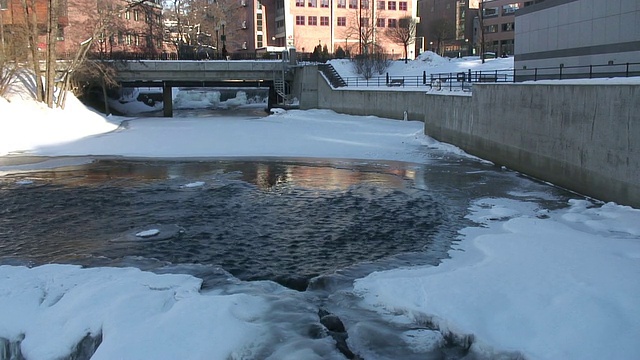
(312, 225)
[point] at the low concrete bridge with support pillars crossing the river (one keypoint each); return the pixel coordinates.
(167, 74)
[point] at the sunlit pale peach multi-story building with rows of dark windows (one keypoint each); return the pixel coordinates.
(356, 26)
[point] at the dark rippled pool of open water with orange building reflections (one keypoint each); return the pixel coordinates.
(288, 221)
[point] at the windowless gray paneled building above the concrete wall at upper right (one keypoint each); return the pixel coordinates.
(568, 33)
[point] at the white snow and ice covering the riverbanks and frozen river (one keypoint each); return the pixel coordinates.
(523, 280)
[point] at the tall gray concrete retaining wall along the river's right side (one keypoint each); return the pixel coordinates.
(585, 138)
